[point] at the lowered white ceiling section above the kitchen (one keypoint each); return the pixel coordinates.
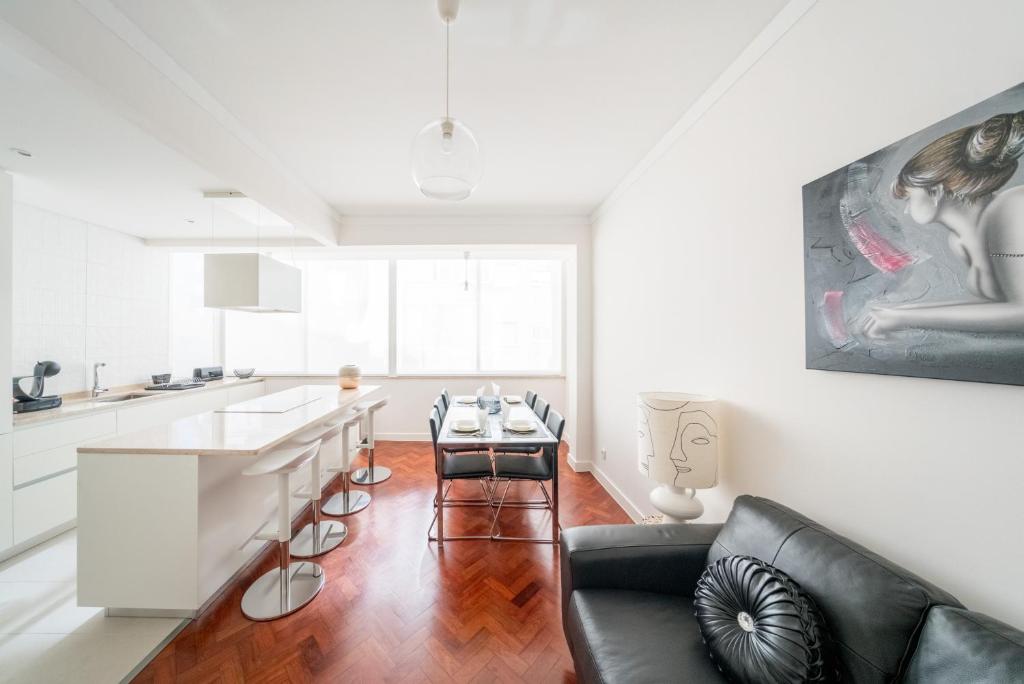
(93, 165)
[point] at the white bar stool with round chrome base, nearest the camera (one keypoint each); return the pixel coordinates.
(291, 586)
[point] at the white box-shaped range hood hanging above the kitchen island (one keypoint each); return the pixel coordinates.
(251, 283)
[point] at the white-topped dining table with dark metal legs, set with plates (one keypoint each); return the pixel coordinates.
(493, 437)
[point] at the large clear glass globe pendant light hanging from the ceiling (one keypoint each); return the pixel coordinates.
(447, 161)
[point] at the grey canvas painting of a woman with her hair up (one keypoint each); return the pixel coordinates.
(915, 254)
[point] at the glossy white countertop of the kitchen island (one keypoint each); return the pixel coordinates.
(237, 434)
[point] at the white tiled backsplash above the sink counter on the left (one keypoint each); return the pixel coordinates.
(83, 294)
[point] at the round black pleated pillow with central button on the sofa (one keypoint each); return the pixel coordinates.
(760, 626)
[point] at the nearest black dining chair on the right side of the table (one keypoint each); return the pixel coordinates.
(534, 468)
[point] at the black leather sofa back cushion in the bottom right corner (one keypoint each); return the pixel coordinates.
(958, 646)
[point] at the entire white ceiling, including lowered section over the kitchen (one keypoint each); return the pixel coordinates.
(565, 97)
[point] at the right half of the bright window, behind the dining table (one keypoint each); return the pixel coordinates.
(480, 316)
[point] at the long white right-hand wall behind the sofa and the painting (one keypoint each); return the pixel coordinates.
(699, 287)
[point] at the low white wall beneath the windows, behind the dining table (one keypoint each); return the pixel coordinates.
(412, 399)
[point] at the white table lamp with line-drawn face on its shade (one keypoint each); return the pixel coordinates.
(677, 444)
